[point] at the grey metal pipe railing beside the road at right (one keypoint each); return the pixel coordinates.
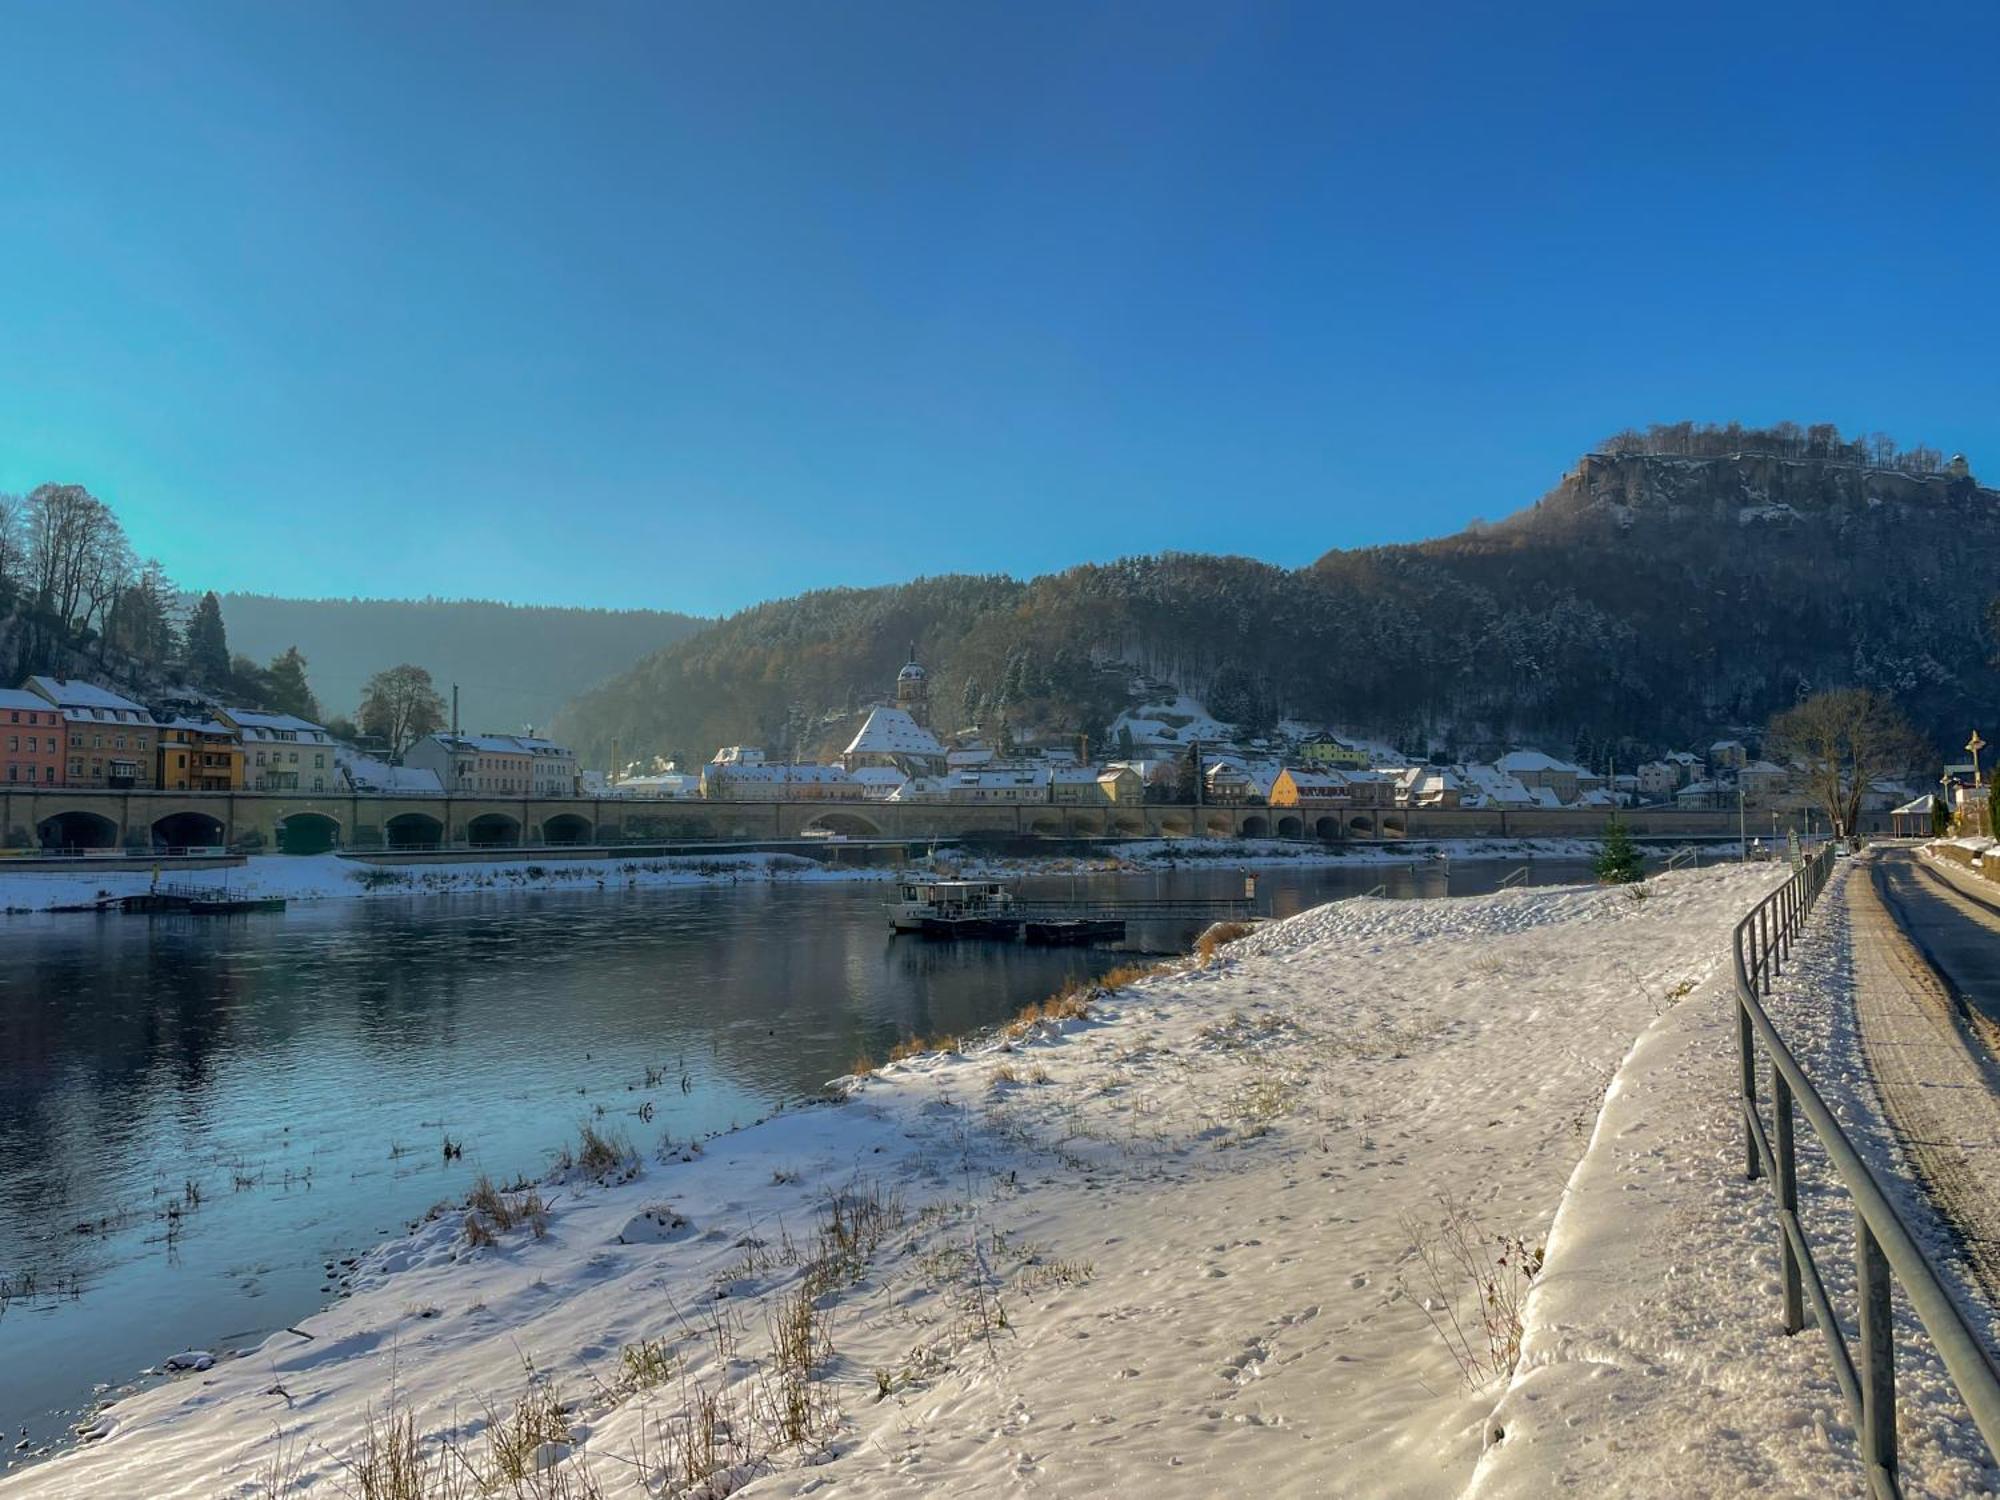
(1885, 1251)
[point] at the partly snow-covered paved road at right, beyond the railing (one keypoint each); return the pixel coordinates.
(1927, 995)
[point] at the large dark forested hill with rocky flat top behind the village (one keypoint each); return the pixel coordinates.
(1647, 601)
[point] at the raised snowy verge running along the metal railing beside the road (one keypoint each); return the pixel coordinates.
(1655, 1359)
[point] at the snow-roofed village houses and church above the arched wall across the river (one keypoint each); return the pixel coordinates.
(69, 733)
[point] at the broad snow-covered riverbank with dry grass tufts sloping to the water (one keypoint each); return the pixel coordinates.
(1167, 1249)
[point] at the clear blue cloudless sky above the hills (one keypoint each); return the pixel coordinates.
(699, 305)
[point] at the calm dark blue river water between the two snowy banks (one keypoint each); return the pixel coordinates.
(203, 1117)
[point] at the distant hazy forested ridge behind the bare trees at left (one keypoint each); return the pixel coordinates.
(517, 665)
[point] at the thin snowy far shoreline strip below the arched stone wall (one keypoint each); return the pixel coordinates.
(331, 877)
